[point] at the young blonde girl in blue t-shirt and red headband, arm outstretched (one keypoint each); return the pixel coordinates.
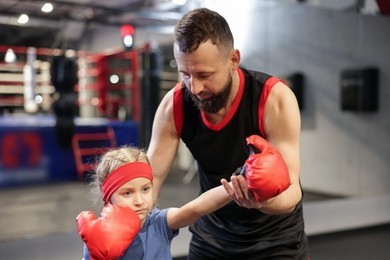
(130, 226)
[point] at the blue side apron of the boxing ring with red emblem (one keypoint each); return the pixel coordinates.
(30, 152)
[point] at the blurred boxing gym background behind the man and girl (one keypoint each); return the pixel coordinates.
(78, 77)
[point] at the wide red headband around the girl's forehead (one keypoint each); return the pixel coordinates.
(123, 174)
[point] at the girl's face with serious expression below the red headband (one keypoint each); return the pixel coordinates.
(136, 194)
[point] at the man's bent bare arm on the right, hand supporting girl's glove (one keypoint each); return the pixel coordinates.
(282, 128)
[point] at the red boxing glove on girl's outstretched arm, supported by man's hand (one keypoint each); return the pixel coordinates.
(266, 172)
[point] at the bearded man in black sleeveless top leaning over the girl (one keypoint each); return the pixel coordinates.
(216, 107)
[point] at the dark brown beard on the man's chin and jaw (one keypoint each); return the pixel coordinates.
(217, 101)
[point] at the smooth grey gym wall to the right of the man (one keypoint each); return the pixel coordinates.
(342, 153)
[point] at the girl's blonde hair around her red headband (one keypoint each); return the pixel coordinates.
(112, 160)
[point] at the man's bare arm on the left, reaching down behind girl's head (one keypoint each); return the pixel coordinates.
(163, 143)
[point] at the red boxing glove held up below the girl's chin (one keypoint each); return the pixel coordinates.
(110, 235)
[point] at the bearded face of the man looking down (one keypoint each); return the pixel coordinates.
(206, 73)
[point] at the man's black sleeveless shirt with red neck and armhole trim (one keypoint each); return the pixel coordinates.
(219, 150)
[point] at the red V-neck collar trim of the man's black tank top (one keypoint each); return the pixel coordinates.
(233, 109)
